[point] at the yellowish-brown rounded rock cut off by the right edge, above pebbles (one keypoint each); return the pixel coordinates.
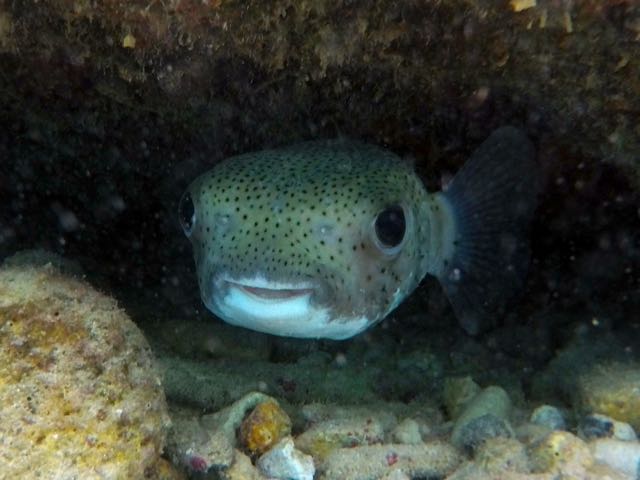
(613, 390)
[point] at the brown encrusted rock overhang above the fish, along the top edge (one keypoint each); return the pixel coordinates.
(282, 64)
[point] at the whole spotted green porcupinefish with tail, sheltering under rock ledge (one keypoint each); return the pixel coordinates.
(323, 239)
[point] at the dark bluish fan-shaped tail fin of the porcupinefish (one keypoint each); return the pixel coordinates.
(491, 202)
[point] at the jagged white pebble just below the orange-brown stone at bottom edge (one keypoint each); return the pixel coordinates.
(284, 462)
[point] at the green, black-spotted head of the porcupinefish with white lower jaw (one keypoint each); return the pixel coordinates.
(317, 240)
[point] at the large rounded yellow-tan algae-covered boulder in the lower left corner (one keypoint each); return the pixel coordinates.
(78, 388)
